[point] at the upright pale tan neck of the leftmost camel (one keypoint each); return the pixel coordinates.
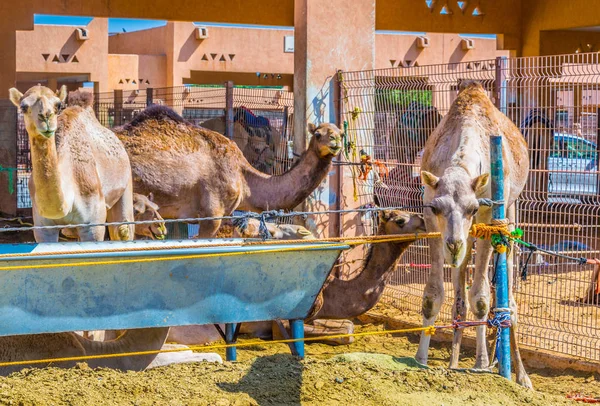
(49, 196)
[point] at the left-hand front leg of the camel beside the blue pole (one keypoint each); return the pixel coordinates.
(433, 296)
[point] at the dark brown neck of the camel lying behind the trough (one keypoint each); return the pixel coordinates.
(350, 298)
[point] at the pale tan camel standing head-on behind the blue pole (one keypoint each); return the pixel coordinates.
(455, 172)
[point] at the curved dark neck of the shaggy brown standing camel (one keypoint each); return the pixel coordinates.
(288, 190)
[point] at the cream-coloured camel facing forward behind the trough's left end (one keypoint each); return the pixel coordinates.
(80, 170)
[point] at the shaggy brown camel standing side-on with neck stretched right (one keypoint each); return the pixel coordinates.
(204, 174)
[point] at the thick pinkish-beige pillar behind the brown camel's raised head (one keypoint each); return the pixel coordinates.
(327, 38)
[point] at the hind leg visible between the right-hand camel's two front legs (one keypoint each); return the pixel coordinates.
(459, 280)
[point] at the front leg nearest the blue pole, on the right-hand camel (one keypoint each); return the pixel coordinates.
(479, 299)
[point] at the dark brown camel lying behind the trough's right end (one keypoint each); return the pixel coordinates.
(339, 299)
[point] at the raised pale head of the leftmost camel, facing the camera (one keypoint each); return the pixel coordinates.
(40, 107)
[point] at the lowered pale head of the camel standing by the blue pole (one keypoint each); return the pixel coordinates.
(453, 204)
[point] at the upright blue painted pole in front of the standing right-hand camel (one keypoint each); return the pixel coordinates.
(499, 213)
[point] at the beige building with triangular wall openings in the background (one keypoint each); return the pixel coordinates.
(182, 53)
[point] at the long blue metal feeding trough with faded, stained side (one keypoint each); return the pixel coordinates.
(183, 291)
